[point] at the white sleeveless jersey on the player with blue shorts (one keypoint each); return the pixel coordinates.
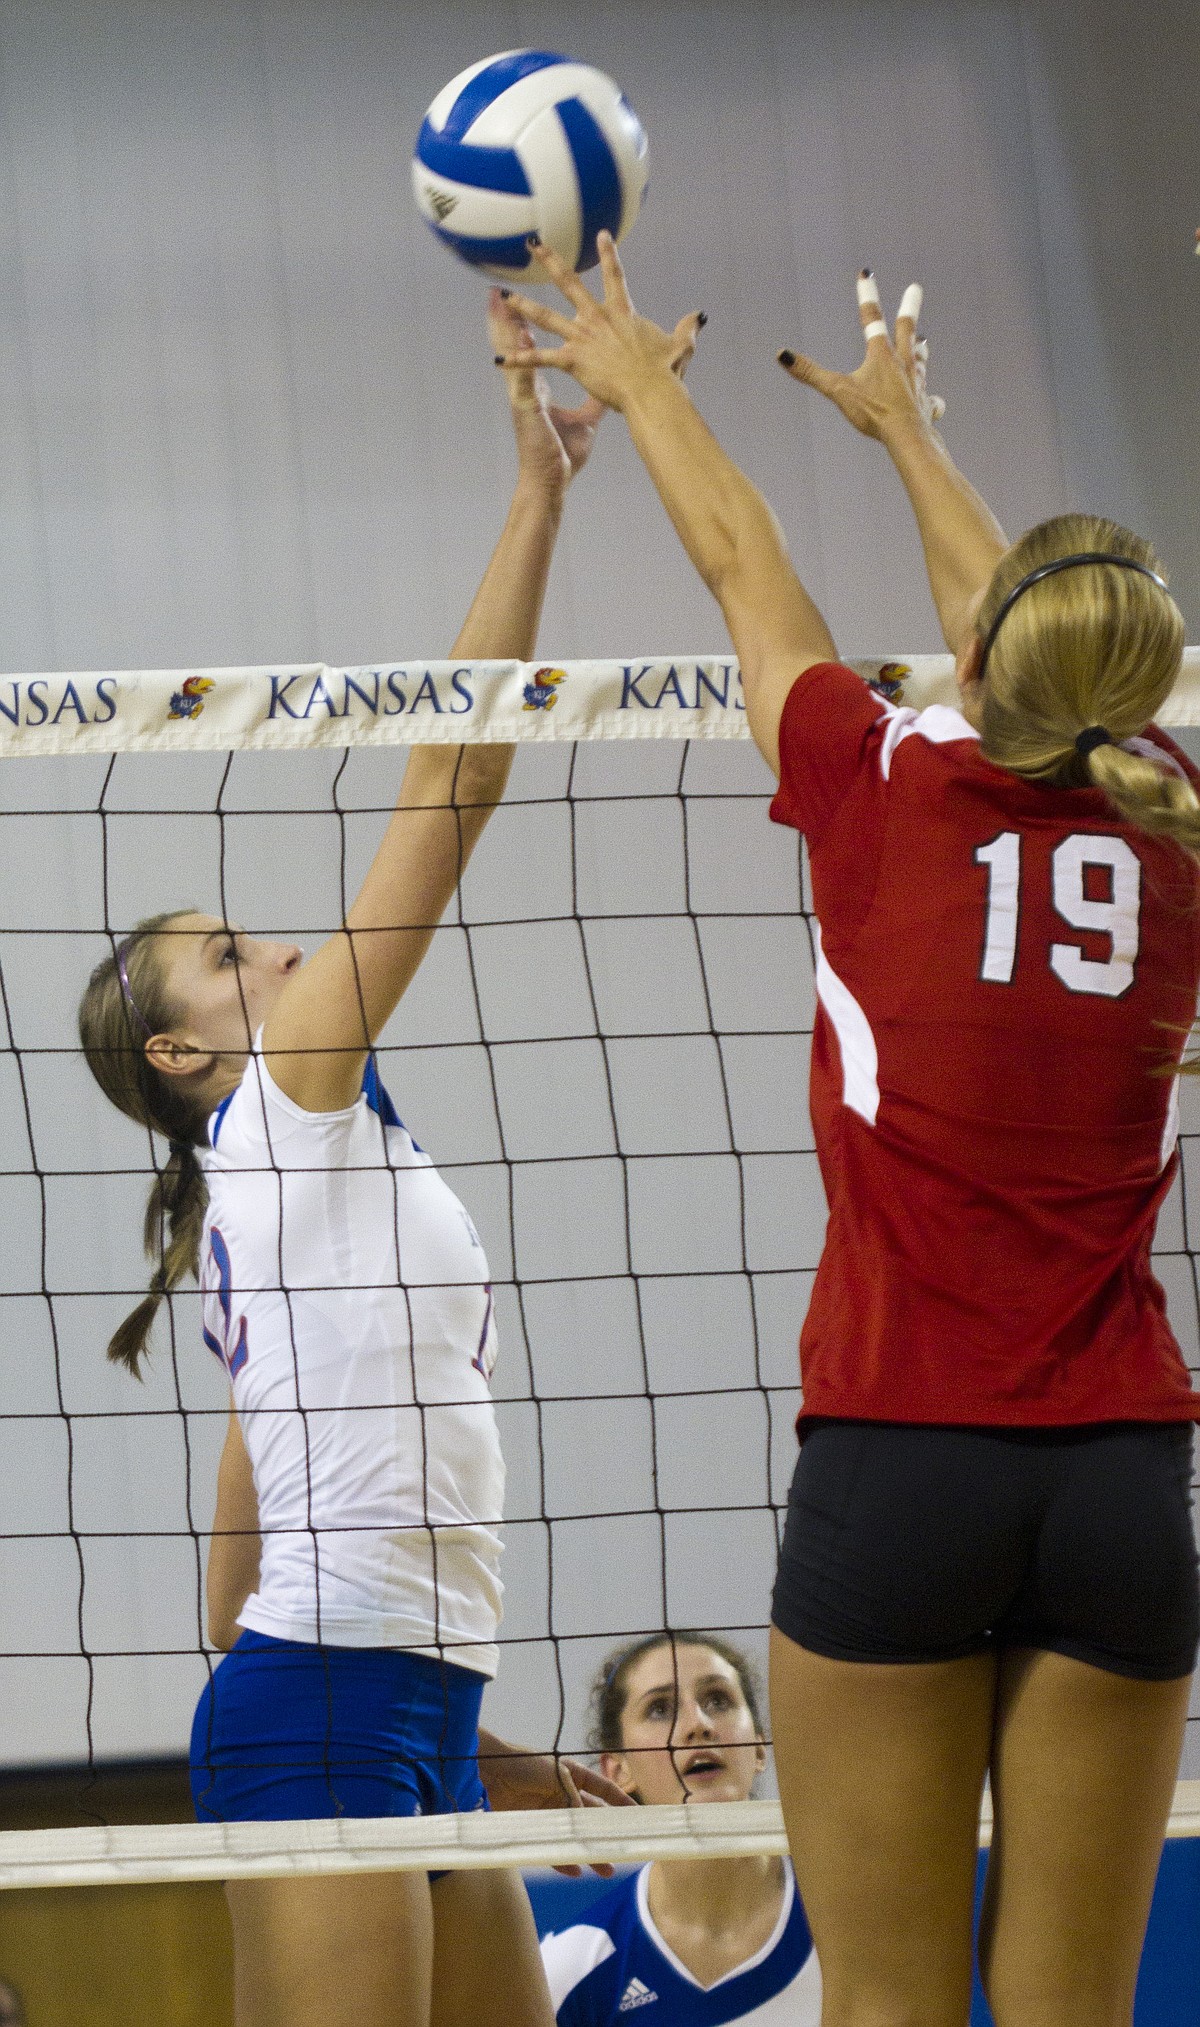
(348, 1294)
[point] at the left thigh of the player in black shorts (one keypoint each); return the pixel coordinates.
(881, 1773)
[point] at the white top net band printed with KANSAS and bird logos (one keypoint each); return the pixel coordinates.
(423, 702)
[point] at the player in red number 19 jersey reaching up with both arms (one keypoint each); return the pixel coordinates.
(988, 1562)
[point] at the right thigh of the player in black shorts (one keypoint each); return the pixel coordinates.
(1083, 1777)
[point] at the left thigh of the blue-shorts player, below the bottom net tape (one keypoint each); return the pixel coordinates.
(337, 1951)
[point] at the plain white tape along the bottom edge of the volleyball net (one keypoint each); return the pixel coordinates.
(177, 1852)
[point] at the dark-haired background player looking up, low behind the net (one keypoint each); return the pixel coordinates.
(676, 1720)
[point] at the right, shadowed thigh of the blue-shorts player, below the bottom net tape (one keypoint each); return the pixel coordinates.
(487, 1965)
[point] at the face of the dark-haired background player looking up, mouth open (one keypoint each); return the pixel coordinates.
(686, 1730)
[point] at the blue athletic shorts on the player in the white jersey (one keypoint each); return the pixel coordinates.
(287, 1732)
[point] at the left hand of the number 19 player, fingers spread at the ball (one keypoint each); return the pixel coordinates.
(605, 346)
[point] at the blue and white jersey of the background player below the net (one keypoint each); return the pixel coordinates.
(613, 1967)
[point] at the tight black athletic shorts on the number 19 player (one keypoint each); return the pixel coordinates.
(919, 1544)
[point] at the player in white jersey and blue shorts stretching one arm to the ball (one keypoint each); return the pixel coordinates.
(356, 1552)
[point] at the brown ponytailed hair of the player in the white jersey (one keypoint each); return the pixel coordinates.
(127, 1000)
